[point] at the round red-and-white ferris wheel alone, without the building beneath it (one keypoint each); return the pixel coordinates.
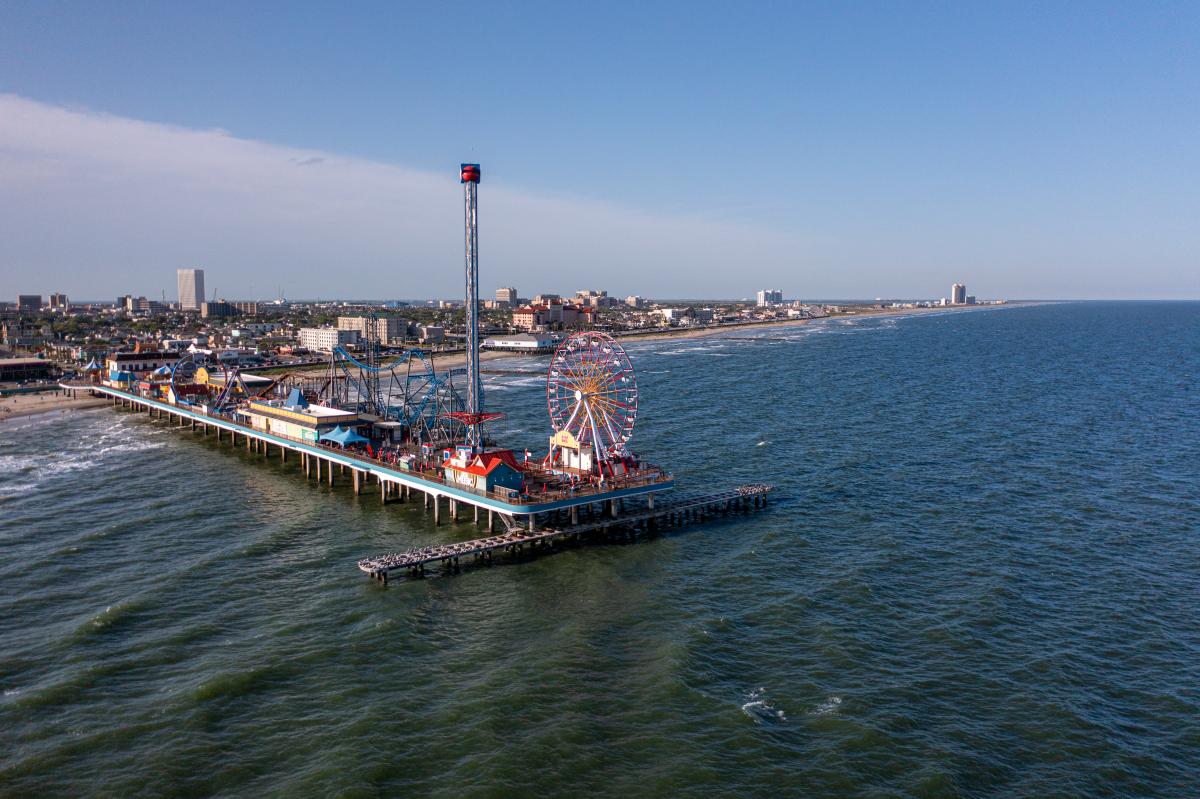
(592, 394)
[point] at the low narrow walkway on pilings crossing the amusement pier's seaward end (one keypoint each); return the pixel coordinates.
(680, 510)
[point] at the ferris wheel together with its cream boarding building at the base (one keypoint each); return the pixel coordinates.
(592, 395)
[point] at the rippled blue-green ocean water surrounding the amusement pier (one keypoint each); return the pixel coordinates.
(980, 578)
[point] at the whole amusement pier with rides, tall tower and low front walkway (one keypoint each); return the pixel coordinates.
(409, 428)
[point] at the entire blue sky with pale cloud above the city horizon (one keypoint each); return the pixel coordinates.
(1043, 151)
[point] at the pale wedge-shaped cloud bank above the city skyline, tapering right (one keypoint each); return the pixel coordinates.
(97, 206)
